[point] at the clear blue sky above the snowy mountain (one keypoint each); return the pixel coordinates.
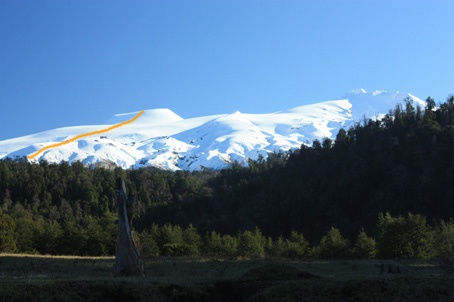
(66, 63)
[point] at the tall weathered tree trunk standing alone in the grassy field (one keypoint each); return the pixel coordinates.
(127, 256)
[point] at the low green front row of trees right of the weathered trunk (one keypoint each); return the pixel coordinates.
(402, 237)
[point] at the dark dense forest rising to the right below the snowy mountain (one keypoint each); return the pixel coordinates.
(400, 164)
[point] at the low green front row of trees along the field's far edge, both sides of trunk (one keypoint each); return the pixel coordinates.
(408, 237)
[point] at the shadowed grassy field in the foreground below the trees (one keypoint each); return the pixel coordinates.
(51, 278)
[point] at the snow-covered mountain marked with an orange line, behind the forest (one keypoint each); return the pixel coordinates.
(161, 138)
